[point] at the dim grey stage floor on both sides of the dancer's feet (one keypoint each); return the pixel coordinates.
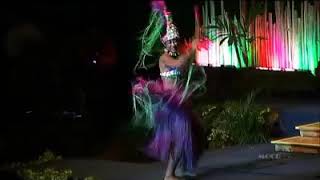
(238, 162)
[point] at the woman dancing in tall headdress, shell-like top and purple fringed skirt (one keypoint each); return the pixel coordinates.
(163, 105)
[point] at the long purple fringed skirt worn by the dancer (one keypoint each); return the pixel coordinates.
(177, 133)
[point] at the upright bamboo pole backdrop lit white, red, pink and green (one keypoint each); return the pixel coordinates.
(291, 42)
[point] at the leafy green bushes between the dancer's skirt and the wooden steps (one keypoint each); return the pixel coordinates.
(236, 122)
